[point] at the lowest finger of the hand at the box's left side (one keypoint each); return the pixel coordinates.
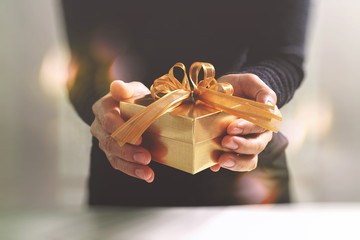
(132, 169)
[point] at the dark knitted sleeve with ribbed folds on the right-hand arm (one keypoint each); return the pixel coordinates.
(276, 52)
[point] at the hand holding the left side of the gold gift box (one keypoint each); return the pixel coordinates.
(129, 159)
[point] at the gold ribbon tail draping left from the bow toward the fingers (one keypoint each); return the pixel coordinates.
(131, 131)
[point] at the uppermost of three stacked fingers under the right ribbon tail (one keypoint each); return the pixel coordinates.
(243, 127)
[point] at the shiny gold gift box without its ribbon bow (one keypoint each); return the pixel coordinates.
(188, 138)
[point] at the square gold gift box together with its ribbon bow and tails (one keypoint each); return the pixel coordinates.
(182, 123)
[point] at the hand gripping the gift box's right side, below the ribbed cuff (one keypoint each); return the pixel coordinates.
(245, 139)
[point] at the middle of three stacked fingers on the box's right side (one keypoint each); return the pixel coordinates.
(253, 144)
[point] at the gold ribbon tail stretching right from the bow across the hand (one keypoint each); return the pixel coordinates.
(260, 114)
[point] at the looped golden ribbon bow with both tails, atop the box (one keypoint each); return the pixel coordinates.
(169, 93)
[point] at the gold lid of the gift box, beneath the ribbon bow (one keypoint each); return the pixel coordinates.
(189, 122)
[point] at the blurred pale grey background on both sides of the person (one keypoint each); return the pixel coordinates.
(45, 147)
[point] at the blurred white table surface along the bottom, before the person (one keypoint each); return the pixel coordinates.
(298, 221)
